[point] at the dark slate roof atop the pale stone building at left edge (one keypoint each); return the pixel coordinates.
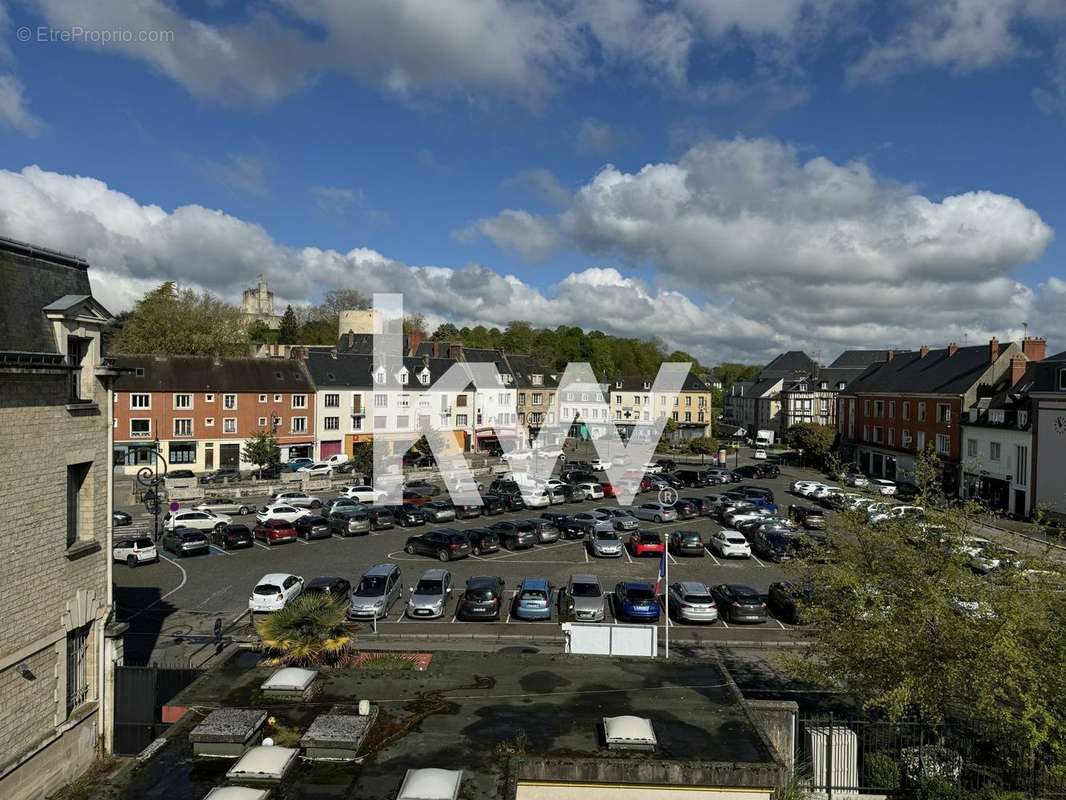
(31, 280)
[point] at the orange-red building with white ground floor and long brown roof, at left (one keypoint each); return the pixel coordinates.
(199, 412)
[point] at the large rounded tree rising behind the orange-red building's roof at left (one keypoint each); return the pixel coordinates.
(172, 322)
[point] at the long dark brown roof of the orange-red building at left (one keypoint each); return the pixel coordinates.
(204, 374)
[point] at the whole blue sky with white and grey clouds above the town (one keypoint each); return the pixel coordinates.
(823, 173)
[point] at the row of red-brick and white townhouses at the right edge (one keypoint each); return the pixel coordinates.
(994, 414)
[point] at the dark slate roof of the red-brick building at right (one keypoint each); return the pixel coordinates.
(938, 374)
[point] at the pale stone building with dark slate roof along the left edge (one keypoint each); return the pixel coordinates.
(56, 571)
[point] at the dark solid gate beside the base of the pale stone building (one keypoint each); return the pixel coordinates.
(141, 693)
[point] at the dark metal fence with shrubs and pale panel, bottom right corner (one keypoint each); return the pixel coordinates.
(845, 757)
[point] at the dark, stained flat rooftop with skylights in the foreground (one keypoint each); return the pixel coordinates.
(497, 718)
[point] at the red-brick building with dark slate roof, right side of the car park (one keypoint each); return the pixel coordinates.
(916, 401)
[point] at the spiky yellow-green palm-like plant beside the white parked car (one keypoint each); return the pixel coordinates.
(310, 631)
